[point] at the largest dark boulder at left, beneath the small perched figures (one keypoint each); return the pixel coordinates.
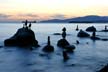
(23, 37)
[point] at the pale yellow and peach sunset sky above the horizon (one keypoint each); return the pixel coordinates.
(50, 9)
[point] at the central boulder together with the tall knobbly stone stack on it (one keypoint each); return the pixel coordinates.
(63, 42)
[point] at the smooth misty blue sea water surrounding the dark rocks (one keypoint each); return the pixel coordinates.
(86, 58)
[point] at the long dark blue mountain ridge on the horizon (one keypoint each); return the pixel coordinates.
(84, 19)
